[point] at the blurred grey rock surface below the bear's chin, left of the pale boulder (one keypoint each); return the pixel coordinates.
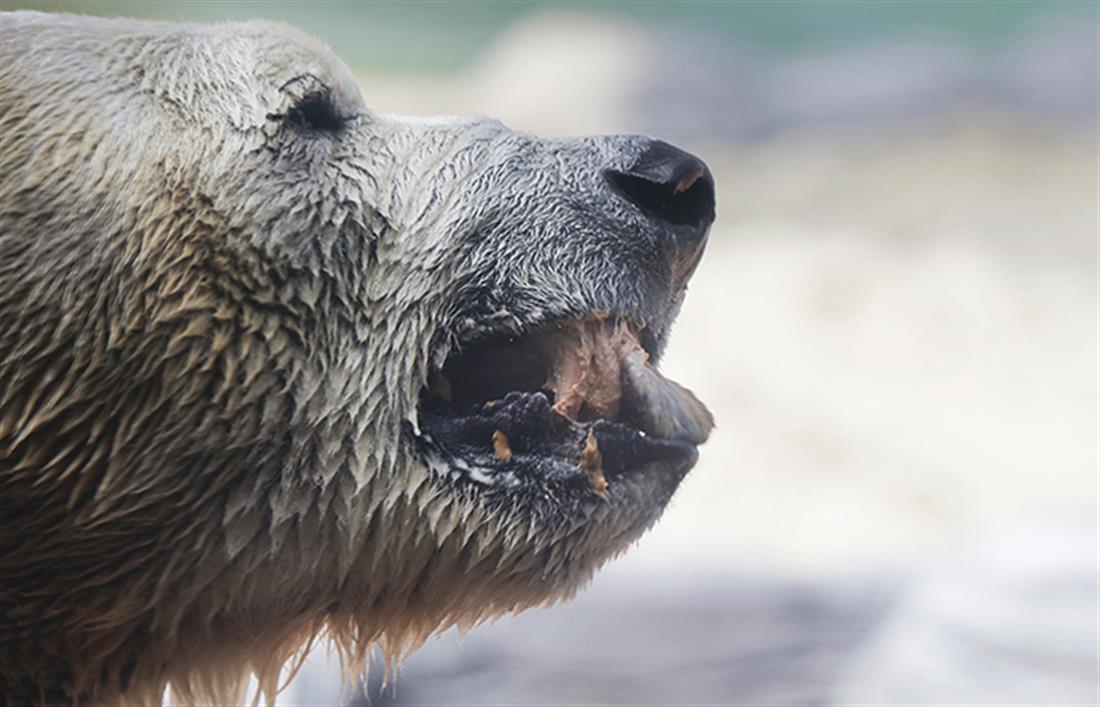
(646, 640)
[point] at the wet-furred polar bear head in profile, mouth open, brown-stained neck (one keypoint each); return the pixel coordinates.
(278, 367)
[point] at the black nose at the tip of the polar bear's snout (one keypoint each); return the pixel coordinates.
(669, 184)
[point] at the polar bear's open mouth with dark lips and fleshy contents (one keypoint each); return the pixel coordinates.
(574, 406)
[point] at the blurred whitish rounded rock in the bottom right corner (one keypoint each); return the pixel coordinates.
(1011, 623)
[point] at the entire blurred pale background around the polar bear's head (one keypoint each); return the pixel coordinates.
(896, 326)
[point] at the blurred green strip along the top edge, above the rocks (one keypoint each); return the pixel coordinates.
(443, 36)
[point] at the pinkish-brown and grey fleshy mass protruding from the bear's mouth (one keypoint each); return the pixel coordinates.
(598, 370)
